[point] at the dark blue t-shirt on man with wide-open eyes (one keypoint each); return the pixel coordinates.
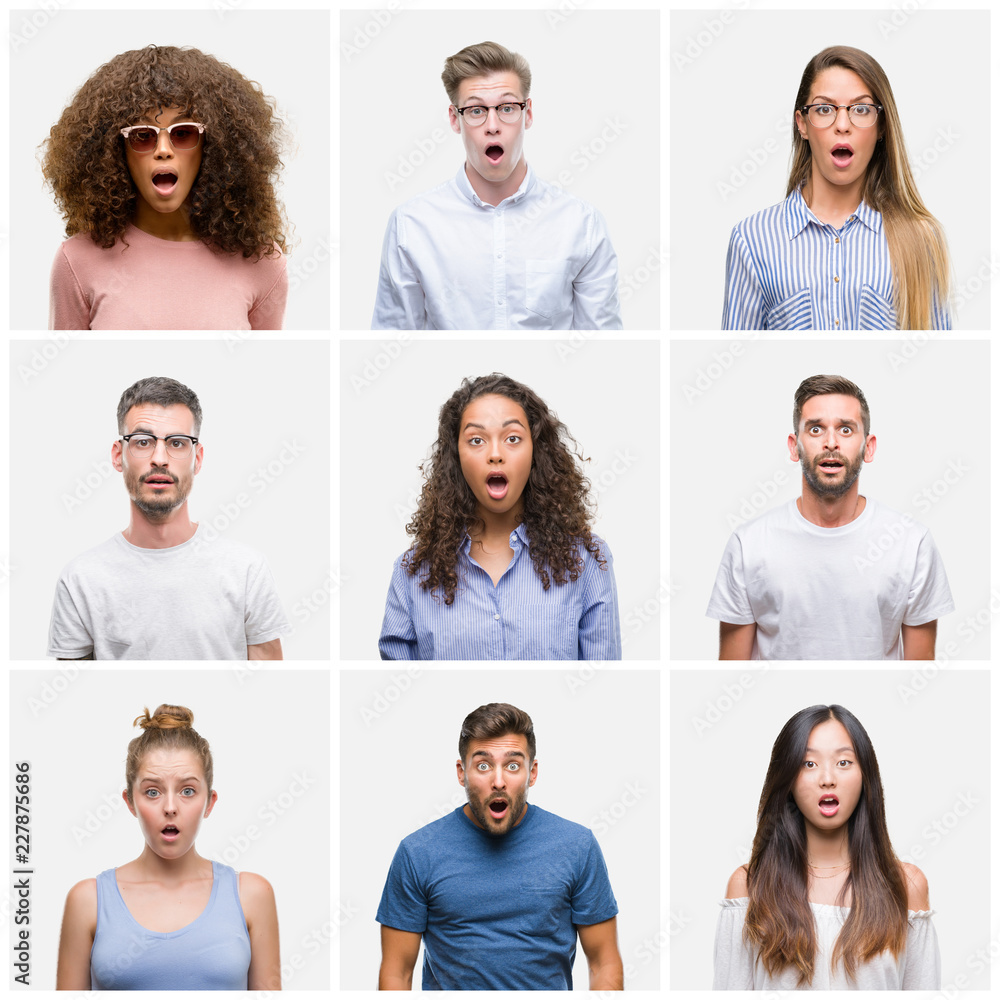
(498, 913)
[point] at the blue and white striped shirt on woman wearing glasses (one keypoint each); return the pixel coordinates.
(786, 270)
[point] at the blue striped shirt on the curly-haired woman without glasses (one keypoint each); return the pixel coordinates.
(514, 620)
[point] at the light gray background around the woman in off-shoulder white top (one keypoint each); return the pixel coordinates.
(933, 748)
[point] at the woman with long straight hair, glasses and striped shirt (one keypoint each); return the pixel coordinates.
(852, 246)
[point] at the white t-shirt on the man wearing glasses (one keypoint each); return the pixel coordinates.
(199, 600)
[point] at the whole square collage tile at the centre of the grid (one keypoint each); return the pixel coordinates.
(408, 394)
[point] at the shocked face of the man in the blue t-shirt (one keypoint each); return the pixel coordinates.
(496, 775)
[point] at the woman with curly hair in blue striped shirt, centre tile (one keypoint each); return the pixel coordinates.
(504, 565)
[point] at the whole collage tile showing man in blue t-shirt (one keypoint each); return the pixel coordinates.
(443, 865)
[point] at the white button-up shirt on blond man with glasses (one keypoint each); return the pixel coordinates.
(540, 260)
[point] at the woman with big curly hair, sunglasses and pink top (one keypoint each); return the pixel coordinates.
(163, 167)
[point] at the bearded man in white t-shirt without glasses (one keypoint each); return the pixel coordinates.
(801, 583)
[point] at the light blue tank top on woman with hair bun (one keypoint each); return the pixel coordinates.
(210, 953)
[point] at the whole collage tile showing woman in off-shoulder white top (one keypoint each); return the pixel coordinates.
(899, 759)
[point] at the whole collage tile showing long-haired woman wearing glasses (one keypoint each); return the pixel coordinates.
(754, 256)
